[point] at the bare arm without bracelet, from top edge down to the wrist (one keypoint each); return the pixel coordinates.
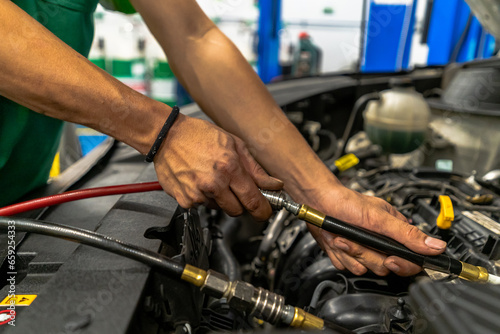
(230, 92)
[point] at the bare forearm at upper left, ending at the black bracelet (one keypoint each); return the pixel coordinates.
(42, 73)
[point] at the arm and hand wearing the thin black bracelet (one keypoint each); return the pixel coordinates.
(197, 162)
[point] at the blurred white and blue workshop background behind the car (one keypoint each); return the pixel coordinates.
(287, 38)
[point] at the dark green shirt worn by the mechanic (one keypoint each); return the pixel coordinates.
(28, 140)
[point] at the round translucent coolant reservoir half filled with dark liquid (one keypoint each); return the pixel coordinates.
(398, 121)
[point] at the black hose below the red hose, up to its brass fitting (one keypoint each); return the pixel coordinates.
(155, 260)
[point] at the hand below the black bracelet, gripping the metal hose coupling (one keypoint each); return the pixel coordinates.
(200, 163)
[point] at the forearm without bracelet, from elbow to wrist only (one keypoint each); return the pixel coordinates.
(231, 93)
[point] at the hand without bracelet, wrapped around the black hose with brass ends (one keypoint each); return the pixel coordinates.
(379, 216)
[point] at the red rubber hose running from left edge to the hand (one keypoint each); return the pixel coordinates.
(78, 194)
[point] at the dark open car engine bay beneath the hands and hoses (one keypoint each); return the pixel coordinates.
(80, 289)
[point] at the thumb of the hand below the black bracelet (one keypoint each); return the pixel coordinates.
(256, 172)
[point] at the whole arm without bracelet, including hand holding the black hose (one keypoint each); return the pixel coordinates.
(228, 90)
